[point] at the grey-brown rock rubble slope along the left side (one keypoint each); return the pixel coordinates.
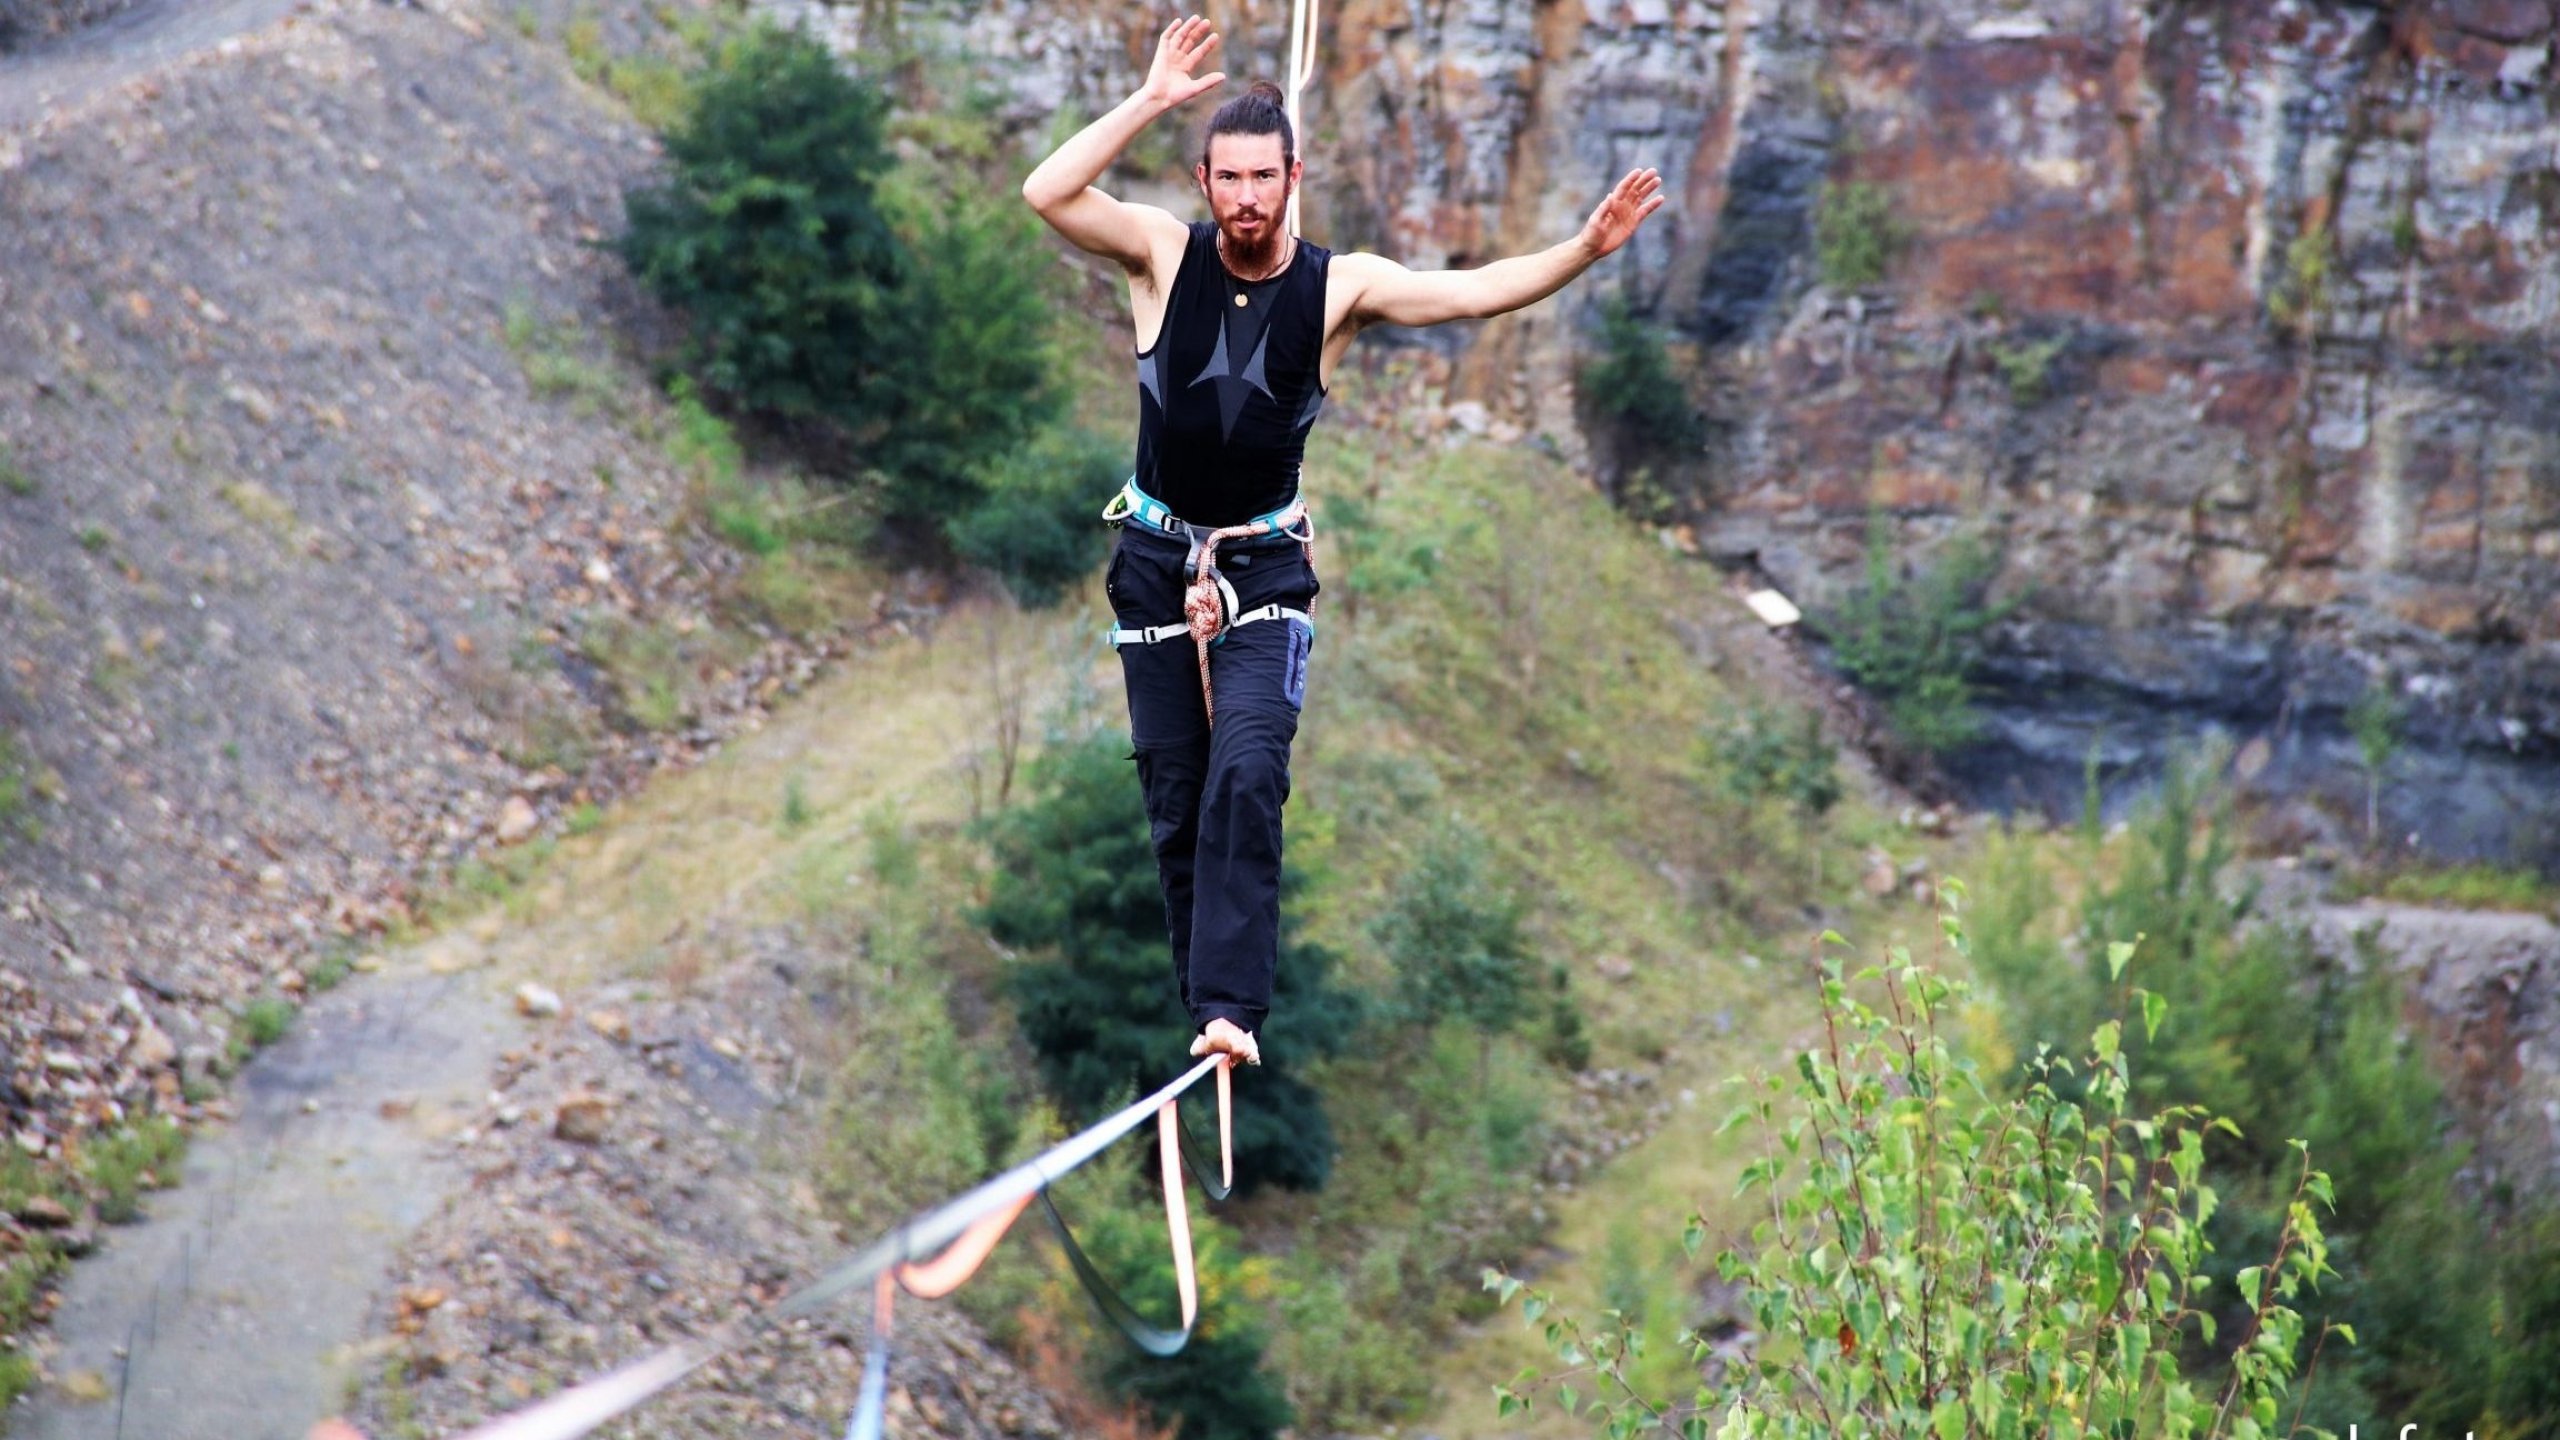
(298, 570)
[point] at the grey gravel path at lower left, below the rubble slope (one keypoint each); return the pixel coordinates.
(239, 1298)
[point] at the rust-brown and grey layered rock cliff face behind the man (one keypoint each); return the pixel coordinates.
(2231, 327)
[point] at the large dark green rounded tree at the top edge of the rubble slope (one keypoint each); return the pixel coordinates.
(769, 232)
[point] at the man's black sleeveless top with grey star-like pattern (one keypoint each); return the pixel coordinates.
(1230, 391)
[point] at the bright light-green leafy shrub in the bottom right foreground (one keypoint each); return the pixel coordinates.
(1944, 1259)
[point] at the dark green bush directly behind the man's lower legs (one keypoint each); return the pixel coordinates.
(1076, 885)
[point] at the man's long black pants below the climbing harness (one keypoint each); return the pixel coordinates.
(1215, 793)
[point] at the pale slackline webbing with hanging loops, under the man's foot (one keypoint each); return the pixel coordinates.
(931, 1257)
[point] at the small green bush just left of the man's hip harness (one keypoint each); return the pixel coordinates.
(1038, 519)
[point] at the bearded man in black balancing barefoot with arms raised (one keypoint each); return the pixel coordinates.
(1238, 337)
